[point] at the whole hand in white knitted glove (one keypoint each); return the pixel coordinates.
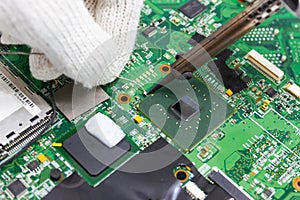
(89, 41)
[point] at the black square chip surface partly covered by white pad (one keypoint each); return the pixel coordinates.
(97, 158)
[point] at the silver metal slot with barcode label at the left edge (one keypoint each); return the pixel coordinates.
(24, 115)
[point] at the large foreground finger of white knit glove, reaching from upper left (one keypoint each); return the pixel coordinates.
(66, 33)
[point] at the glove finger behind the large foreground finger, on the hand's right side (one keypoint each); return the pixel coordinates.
(120, 19)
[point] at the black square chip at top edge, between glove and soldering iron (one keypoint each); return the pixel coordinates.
(192, 8)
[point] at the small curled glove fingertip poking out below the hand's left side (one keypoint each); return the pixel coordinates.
(41, 68)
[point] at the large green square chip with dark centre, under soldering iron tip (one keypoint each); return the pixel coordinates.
(173, 104)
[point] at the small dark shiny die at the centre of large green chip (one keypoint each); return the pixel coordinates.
(185, 108)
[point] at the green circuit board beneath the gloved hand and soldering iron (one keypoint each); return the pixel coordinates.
(257, 147)
